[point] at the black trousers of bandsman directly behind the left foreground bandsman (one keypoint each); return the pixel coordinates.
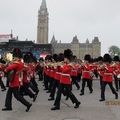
(25, 90)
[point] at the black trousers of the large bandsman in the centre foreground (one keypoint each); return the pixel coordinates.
(69, 93)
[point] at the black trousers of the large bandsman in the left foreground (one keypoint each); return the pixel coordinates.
(15, 92)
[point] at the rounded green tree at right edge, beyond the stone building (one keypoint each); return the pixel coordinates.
(114, 50)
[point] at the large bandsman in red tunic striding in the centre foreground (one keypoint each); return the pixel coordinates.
(65, 81)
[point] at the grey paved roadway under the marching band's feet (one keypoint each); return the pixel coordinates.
(90, 108)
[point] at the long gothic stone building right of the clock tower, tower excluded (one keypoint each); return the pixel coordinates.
(79, 49)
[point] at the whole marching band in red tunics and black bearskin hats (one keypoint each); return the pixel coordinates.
(58, 73)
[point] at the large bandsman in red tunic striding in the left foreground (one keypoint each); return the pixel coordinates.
(14, 85)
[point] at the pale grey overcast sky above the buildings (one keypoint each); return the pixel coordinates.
(67, 18)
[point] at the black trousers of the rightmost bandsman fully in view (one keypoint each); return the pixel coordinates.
(103, 88)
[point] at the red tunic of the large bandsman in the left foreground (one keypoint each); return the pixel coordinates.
(17, 66)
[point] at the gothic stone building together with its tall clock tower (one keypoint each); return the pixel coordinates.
(79, 49)
